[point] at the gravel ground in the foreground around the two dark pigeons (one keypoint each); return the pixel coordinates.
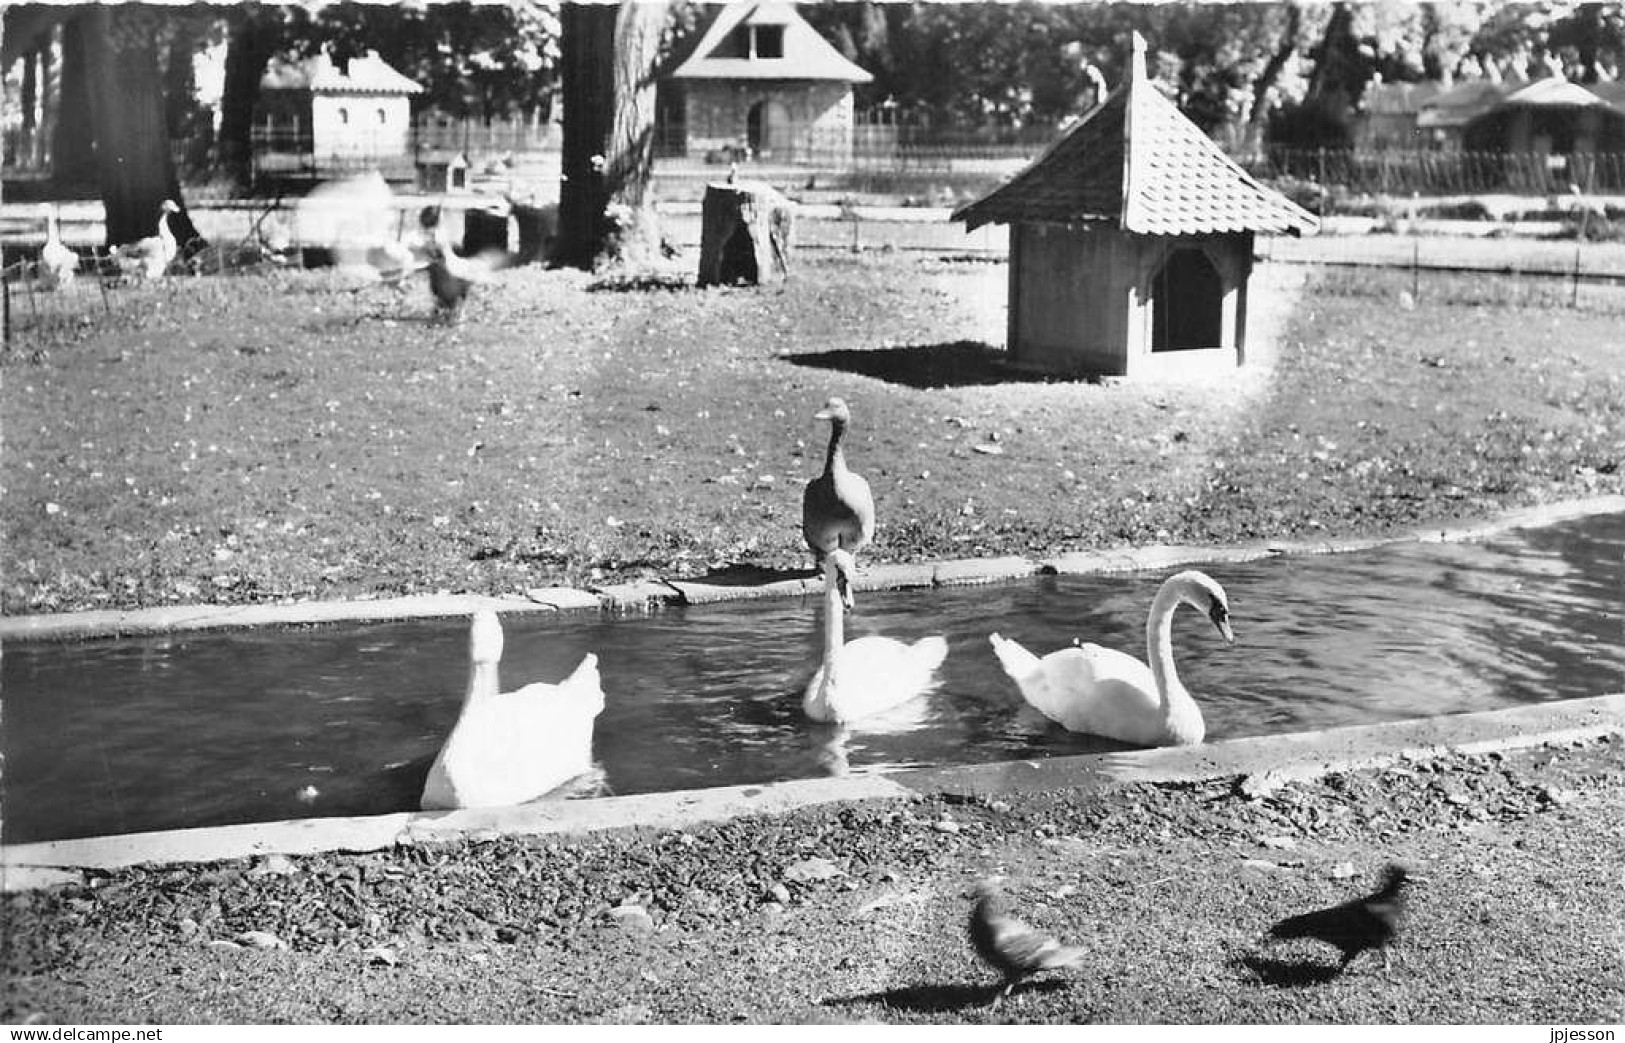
(857, 912)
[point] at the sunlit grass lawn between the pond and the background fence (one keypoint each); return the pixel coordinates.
(292, 438)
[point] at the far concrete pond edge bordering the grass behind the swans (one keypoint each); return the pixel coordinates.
(651, 594)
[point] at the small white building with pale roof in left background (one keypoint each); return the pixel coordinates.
(319, 121)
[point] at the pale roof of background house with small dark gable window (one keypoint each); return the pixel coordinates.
(802, 53)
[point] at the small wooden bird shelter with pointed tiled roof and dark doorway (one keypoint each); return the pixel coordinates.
(1132, 243)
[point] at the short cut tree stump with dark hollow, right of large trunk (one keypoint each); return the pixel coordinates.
(745, 235)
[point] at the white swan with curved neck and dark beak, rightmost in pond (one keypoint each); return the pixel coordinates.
(1107, 693)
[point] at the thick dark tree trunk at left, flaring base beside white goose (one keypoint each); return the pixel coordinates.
(134, 165)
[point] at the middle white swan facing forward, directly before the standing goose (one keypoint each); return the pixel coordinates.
(872, 673)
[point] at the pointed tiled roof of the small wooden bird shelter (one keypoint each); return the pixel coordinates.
(1140, 165)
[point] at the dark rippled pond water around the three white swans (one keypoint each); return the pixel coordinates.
(209, 729)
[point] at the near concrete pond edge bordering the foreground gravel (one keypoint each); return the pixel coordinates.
(1263, 764)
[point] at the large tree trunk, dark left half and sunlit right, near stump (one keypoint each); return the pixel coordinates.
(609, 58)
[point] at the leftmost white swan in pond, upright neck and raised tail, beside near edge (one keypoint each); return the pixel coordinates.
(513, 747)
